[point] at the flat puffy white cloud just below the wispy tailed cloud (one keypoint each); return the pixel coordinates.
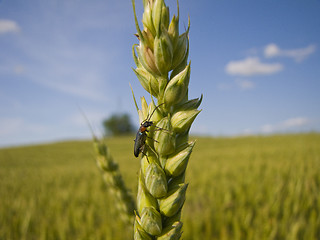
(251, 66)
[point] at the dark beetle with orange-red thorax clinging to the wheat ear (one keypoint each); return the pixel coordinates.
(141, 137)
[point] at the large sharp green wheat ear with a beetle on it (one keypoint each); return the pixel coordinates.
(163, 70)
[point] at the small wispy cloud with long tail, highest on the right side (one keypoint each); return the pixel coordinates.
(272, 50)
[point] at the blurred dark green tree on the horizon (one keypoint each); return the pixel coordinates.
(118, 124)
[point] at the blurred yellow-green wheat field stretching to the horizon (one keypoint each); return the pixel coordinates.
(240, 188)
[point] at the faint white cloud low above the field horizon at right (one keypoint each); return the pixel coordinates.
(289, 124)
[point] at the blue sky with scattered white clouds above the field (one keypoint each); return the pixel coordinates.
(255, 62)
